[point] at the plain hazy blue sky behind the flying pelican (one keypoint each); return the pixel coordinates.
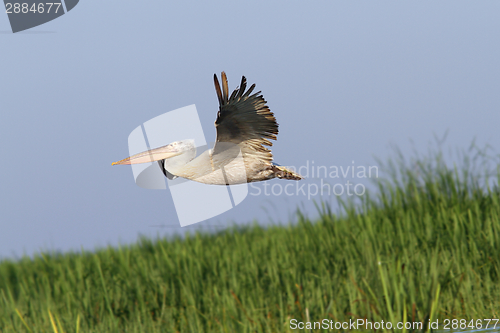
(345, 79)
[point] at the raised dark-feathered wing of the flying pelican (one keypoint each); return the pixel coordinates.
(244, 119)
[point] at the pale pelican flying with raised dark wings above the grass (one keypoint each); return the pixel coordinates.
(244, 126)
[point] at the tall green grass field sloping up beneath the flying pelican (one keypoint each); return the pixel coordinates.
(425, 246)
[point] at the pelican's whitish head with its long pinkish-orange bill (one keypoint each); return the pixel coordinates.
(175, 154)
